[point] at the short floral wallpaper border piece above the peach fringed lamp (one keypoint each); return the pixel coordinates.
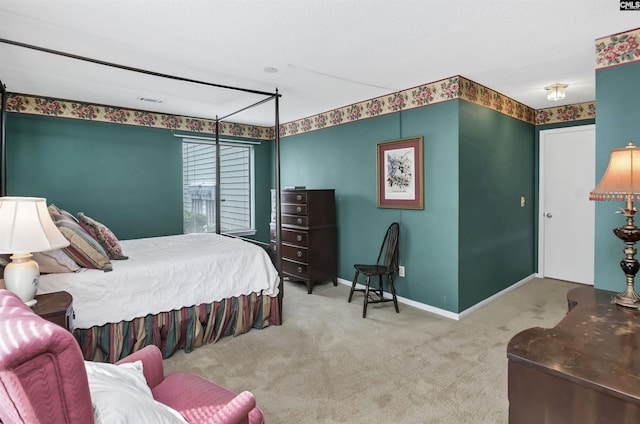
(617, 49)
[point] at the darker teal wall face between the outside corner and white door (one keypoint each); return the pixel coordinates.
(497, 235)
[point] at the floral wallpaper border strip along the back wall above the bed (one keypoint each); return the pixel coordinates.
(76, 110)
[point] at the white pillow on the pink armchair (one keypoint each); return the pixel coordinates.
(120, 394)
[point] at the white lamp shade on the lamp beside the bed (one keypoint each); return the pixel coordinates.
(26, 226)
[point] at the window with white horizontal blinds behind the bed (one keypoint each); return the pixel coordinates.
(199, 187)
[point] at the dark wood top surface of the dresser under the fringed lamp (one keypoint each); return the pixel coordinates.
(595, 346)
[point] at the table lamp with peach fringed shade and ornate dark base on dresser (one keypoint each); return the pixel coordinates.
(621, 182)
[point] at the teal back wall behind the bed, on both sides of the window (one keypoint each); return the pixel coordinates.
(128, 177)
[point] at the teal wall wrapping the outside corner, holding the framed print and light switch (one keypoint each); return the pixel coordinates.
(472, 239)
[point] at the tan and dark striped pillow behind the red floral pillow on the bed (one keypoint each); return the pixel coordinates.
(83, 249)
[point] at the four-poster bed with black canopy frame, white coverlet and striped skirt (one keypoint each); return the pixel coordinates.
(115, 314)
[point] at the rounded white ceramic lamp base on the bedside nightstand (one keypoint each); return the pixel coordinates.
(22, 277)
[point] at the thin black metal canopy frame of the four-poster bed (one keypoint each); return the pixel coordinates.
(268, 97)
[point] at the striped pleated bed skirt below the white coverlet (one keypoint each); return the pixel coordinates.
(187, 328)
